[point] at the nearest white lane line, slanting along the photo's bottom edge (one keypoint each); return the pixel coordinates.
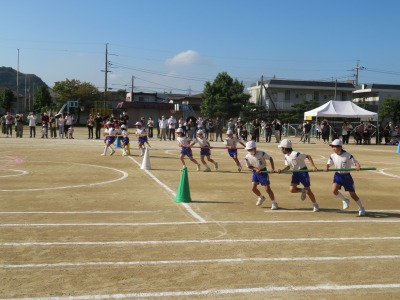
(266, 289)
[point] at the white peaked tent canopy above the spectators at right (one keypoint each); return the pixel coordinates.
(341, 109)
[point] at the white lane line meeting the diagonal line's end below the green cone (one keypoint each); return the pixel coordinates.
(357, 220)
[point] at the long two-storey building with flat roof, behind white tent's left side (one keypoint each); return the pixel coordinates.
(282, 94)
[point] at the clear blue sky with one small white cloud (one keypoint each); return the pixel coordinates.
(176, 46)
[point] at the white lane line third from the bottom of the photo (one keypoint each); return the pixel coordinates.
(226, 241)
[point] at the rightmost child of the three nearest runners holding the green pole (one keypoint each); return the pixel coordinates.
(342, 159)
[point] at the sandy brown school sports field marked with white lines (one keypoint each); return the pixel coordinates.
(77, 225)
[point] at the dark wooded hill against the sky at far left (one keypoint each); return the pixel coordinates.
(8, 79)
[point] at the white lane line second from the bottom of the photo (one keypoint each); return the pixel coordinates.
(201, 261)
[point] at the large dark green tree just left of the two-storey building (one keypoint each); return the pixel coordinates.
(224, 97)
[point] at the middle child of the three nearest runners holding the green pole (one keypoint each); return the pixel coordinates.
(296, 161)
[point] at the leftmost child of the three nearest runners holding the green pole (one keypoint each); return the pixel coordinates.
(256, 161)
